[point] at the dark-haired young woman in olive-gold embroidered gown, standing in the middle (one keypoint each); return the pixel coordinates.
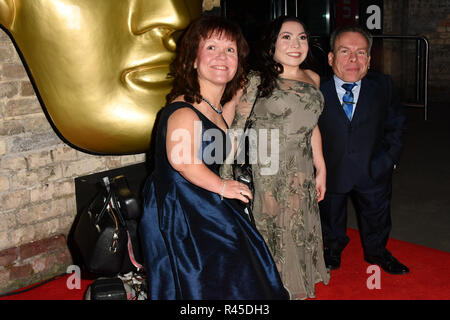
(289, 174)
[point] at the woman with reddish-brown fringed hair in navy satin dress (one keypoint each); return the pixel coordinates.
(197, 242)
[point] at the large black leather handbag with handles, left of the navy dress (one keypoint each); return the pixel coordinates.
(102, 233)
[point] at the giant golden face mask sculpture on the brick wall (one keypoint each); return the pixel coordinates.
(100, 66)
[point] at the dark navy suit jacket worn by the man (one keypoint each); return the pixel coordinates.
(363, 151)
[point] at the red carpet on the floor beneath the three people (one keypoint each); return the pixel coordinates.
(429, 277)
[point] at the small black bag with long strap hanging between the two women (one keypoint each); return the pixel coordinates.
(243, 171)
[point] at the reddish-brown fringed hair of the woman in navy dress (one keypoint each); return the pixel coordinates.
(182, 68)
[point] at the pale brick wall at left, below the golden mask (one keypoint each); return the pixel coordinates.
(37, 171)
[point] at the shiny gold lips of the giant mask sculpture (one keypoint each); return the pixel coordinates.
(145, 77)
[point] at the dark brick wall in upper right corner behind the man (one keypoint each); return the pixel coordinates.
(429, 18)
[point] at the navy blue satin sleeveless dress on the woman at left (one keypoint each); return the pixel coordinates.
(196, 246)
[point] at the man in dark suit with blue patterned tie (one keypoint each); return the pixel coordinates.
(361, 126)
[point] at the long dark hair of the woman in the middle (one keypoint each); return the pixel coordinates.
(268, 68)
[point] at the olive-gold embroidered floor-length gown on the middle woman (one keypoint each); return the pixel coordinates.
(285, 206)
